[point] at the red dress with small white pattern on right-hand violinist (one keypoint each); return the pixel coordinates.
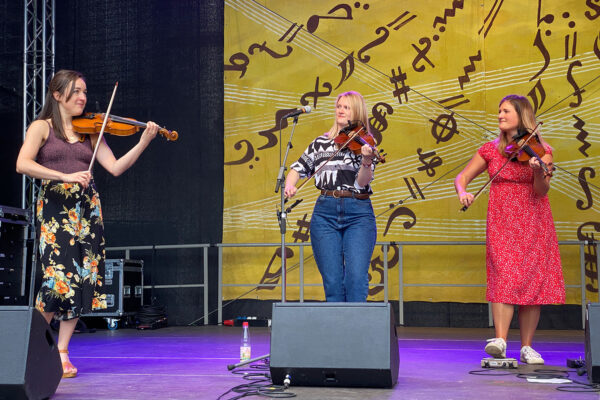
(522, 257)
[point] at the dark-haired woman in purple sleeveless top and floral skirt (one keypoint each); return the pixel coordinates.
(68, 213)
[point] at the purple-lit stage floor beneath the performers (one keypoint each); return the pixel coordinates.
(191, 363)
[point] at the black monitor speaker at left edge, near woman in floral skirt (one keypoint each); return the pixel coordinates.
(30, 365)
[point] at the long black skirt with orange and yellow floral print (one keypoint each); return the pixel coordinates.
(71, 249)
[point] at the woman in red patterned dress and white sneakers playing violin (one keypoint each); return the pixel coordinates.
(522, 256)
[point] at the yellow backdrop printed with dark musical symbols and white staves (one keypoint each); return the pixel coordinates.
(432, 73)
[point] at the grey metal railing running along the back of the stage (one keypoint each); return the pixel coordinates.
(386, 245)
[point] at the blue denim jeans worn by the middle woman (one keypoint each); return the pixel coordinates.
(343, 235)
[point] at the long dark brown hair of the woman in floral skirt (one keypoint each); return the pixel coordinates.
(61, 81)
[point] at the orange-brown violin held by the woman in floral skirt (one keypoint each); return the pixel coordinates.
(92, 123)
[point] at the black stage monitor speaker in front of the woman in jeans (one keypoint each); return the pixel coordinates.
(334, 344)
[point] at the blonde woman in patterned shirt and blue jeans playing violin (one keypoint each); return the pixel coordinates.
(342, 228)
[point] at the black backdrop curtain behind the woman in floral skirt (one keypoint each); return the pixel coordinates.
(167, 57)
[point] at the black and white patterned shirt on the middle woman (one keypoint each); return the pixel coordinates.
(339, 173)
